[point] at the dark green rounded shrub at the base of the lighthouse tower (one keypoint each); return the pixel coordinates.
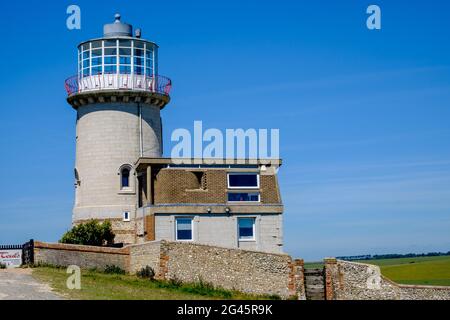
(91, 233)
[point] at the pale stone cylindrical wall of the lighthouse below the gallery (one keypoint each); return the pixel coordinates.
(107, 137)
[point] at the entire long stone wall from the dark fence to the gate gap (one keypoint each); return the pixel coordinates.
(247, 271)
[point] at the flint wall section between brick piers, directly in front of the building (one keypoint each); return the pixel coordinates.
(246, 271)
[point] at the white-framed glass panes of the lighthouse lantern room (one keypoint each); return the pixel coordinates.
(111, 56)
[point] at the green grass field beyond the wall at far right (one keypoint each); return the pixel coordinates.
(420, 270)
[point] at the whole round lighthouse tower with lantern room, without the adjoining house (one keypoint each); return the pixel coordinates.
(118, 95)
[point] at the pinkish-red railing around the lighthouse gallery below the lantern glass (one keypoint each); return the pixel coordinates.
(157, 84)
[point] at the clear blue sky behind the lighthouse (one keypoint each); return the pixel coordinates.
(364, 115)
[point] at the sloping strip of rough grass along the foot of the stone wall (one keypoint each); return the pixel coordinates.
(97, 285)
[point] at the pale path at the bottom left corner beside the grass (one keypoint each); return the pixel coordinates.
(18, 284)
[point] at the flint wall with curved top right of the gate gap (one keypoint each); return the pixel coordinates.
(358, 281)
